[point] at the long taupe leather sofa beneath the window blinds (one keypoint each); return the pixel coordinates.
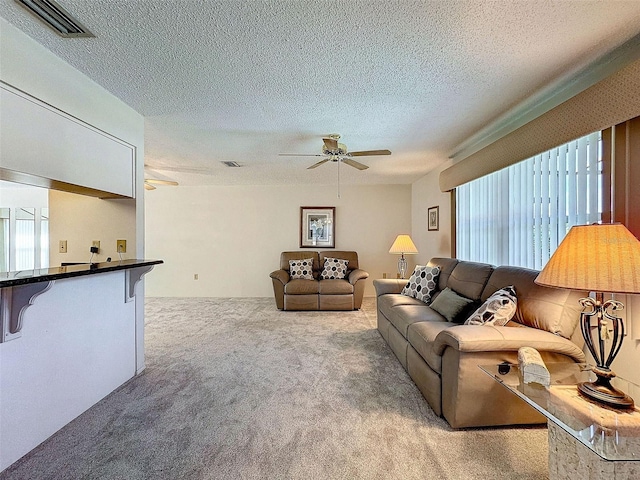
(443, 357)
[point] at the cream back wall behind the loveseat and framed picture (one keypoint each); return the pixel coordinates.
(232, 236)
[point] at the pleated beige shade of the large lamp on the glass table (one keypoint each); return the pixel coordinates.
(595, 258)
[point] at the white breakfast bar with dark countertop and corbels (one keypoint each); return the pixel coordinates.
(70, 336)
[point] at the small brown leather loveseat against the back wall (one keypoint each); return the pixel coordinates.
(319, 293)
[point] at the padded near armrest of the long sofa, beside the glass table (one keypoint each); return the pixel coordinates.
(480, 338)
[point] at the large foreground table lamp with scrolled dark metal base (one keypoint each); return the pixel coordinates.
(598, 258)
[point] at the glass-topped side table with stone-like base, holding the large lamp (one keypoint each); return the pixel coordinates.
(586, 440)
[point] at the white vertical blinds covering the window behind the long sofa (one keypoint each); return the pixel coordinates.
(520, 214)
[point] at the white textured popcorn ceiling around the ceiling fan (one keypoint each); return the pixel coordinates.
(245, 80)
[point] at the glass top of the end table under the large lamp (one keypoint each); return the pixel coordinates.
(614, 435)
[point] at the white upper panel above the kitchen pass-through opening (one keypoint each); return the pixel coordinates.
(75, 152)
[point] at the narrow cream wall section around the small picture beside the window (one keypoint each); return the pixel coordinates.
(425, 193)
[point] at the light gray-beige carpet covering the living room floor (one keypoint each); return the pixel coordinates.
(235, 389)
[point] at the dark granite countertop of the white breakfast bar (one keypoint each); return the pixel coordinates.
(24, 277)
